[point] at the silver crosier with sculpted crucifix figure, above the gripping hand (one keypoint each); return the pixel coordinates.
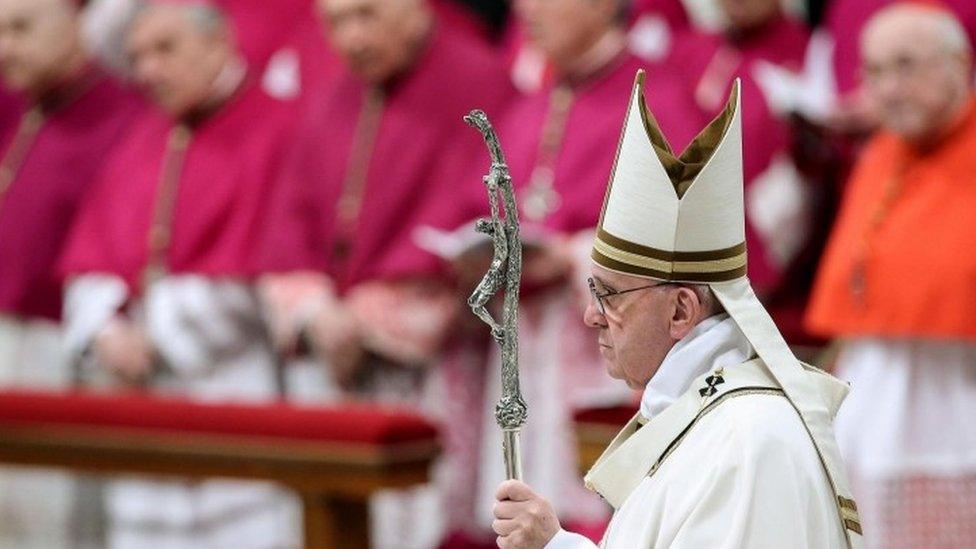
(505, 272)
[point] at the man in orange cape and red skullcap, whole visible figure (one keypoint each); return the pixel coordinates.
(896, 286)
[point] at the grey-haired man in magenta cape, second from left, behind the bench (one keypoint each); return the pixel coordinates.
(160, 267)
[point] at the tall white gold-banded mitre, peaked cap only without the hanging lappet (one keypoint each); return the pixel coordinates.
(646, 171)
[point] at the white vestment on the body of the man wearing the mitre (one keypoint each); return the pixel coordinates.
(735, 469)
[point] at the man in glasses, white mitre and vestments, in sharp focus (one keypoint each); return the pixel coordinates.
(733, 444)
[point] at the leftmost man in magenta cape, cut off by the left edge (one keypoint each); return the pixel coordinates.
(62, 116)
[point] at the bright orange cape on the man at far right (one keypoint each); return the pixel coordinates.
(901, 261)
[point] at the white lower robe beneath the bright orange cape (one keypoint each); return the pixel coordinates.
(907, 436)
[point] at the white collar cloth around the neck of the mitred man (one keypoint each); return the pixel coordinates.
(715, 342)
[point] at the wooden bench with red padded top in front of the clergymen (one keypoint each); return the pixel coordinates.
(334, 458)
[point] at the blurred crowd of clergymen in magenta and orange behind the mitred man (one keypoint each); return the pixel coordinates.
(251, 200)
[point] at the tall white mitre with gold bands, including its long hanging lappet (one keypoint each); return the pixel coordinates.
(681, 219)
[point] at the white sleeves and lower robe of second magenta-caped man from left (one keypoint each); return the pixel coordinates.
(212, 347)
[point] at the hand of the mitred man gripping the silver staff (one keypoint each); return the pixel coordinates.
(523, 519)
